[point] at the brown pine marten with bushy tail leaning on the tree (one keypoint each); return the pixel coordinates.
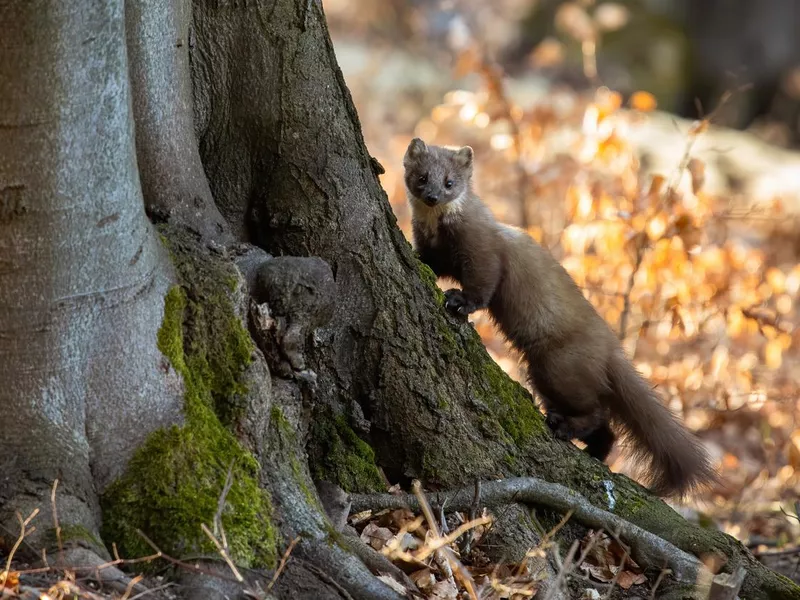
(575, 362)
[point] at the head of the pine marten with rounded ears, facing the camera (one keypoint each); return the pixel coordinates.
(437, 176)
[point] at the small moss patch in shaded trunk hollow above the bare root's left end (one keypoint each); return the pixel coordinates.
(343, 457)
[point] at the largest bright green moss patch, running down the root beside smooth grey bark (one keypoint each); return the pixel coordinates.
(173, 482)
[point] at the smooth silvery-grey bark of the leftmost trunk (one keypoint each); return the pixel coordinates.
(82, 274)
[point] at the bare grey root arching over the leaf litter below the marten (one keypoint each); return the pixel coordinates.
(646, 548)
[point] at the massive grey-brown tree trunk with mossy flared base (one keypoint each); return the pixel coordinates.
(293, 368)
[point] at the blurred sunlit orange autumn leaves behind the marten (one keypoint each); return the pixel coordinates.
(710, 315)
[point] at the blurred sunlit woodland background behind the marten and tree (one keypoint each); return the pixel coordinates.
(651, 146)
